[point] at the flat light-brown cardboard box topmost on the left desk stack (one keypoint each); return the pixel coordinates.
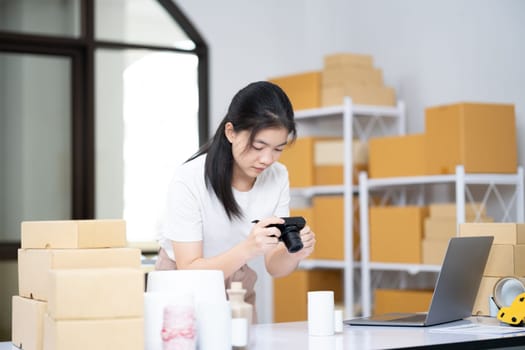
(74, 234)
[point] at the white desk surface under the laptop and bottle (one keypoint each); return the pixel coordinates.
(294, 335)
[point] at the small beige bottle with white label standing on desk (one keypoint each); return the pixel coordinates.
(240, 310)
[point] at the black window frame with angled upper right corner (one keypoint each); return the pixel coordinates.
(81, 51)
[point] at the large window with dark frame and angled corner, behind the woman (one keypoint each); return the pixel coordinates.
(110, 95)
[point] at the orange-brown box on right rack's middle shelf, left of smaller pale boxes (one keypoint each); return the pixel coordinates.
(396, 234)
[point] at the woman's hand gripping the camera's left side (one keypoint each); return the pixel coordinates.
(262, 238)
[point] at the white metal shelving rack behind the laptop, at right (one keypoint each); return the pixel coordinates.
(461, 181)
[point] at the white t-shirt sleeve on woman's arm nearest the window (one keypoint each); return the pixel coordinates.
(183, 220)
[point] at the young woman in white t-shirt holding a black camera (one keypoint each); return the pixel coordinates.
(231, 181)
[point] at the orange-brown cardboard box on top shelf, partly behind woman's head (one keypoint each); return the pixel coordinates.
(303, 90)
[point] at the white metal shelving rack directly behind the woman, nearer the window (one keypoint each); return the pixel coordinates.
(359, 120)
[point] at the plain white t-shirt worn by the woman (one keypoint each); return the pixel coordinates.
(194, 213)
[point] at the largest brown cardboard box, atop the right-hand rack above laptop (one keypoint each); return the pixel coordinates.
(480, 136)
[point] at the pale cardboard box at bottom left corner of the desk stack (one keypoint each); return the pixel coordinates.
(27, 323)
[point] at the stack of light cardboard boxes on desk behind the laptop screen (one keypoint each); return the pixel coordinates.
(506, 257)
